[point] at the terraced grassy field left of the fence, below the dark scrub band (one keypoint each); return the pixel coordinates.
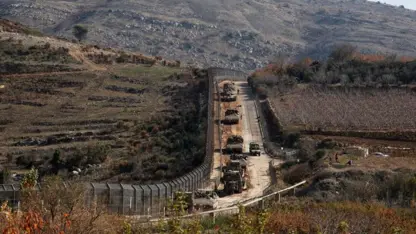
(123, 123)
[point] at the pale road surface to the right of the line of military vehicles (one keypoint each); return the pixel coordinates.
(258, 166)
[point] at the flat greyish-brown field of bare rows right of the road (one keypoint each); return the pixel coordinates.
(347, 109)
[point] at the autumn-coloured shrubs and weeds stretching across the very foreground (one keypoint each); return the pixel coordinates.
(58, 209)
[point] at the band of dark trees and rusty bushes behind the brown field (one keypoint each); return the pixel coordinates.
(345, 66)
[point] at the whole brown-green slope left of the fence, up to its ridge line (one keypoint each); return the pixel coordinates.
(113, 115)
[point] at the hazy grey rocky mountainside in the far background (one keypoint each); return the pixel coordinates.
(237, 34)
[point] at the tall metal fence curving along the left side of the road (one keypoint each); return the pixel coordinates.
(148, 199)
